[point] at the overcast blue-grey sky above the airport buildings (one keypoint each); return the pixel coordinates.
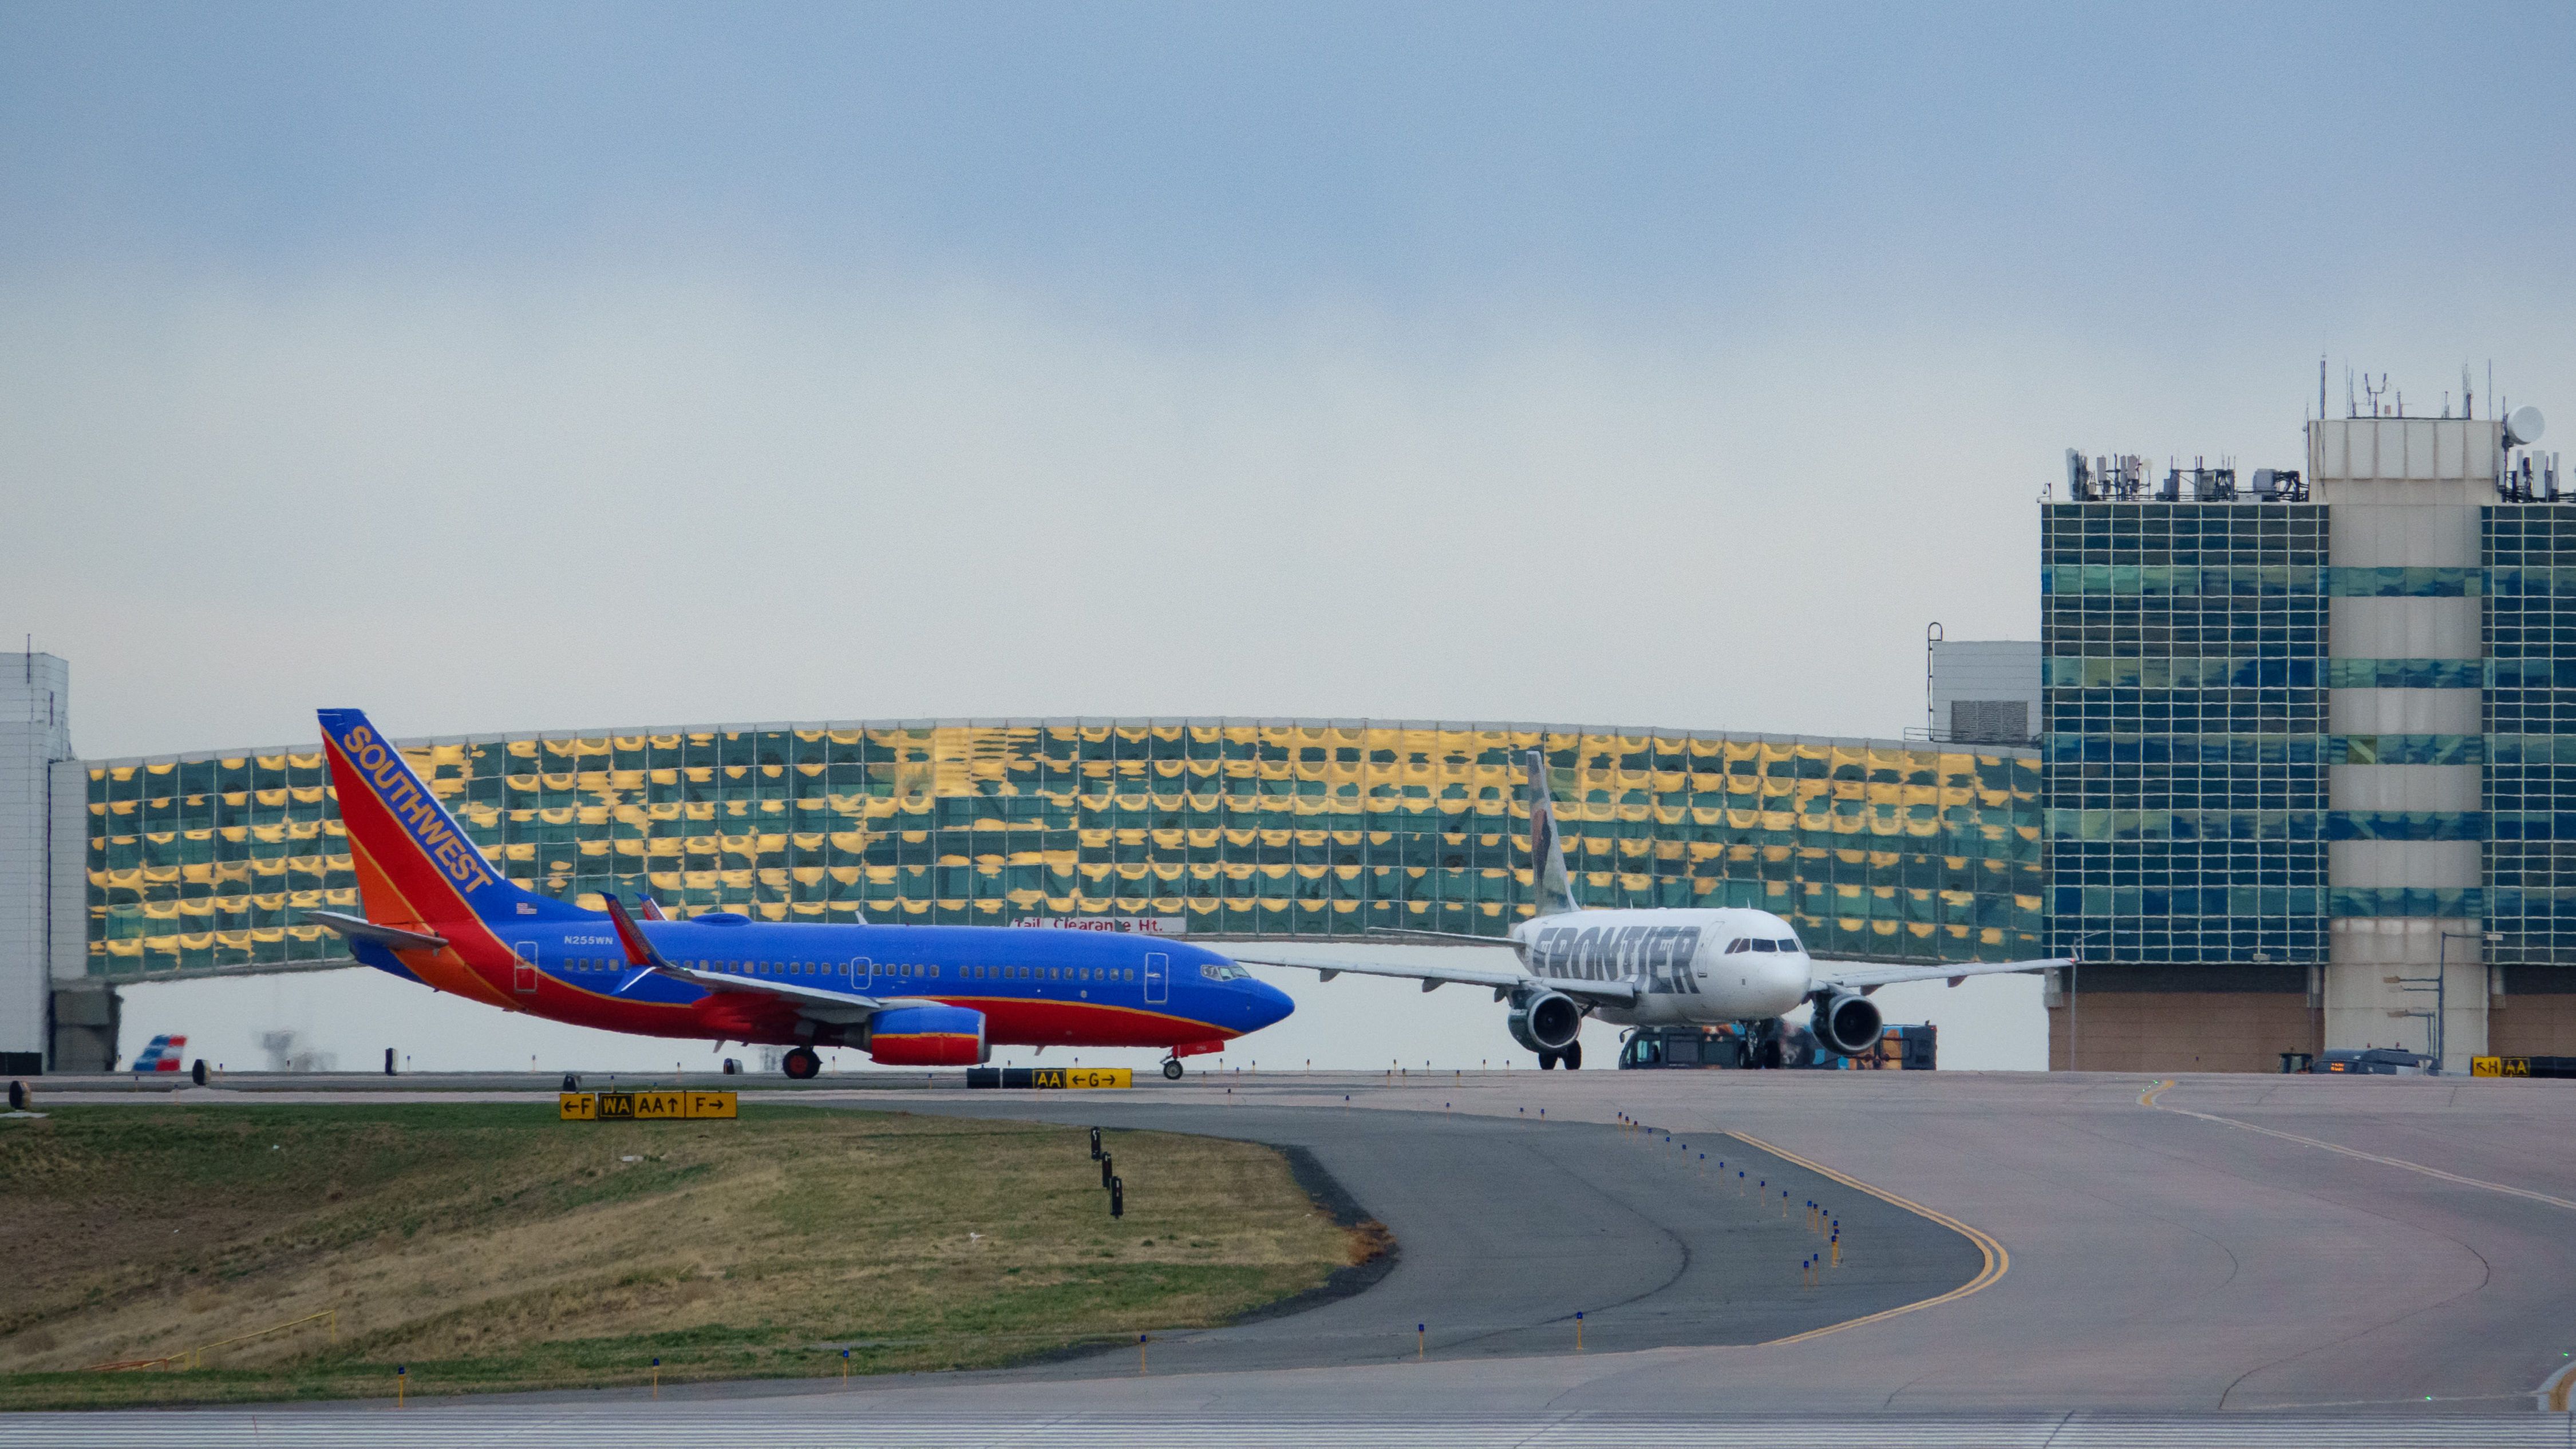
(547, 367)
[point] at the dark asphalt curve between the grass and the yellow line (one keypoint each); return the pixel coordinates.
(1508, 1229)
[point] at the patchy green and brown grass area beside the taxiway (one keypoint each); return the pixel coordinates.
(493, 1247)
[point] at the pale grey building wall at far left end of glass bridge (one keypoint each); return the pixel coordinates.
(35, 732)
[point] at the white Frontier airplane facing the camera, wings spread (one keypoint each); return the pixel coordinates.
(1663, 966)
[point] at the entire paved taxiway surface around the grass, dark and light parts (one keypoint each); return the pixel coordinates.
(2363, 1250)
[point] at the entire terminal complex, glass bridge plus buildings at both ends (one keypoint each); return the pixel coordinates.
(2284, 771)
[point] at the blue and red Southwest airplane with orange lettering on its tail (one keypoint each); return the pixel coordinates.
(442, 915)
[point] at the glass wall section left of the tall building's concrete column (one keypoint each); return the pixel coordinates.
(2186, 730)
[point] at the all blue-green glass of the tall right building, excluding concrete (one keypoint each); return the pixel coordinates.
(2188, 737)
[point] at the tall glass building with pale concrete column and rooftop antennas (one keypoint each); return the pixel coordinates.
(2304, 753)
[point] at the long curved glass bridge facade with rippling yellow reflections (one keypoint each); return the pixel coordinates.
(1243, 830)
